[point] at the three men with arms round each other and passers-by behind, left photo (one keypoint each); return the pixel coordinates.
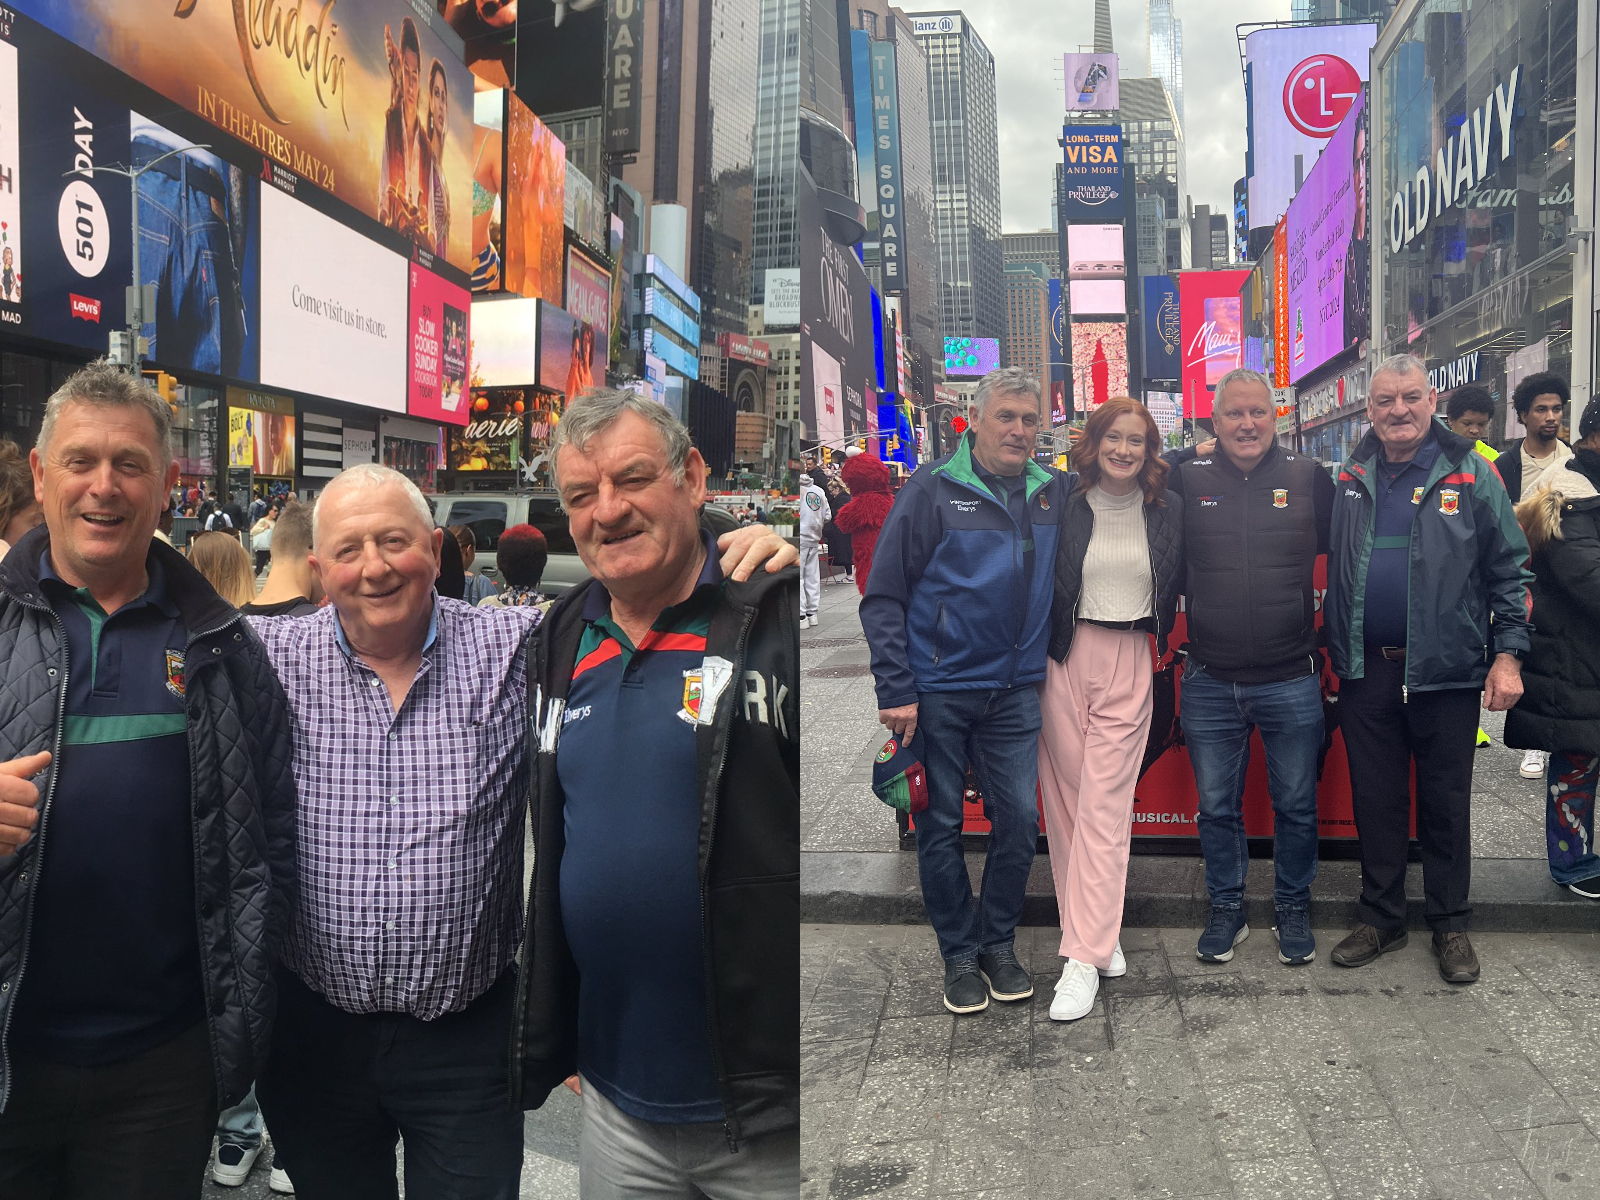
(262, 852)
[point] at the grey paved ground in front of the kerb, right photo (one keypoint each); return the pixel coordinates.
(1188, 1081)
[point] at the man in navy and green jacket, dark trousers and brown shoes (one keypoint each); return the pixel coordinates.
(1428, 606)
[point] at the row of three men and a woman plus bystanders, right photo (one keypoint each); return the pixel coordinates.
(1017, 617)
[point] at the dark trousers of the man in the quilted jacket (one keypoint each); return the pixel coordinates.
(134, 1130)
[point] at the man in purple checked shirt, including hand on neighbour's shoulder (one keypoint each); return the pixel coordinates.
(410, 751)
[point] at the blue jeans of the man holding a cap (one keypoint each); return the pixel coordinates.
(996, 730)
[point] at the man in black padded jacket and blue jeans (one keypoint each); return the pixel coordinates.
(1255, 521)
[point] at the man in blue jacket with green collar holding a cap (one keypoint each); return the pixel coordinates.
(958, 617)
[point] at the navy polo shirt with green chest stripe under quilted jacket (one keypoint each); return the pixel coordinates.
(114, 954)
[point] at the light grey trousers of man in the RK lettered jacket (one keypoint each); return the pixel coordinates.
(625, 1159)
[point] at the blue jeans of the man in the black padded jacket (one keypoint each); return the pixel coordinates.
(1217, 721)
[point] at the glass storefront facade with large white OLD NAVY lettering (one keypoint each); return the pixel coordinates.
(1474, 162)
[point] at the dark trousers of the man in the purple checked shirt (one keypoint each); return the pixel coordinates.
(342, 1089)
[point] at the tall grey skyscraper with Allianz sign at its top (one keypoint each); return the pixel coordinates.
(966, 175)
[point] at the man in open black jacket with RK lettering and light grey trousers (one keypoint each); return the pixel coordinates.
(663, 948)
